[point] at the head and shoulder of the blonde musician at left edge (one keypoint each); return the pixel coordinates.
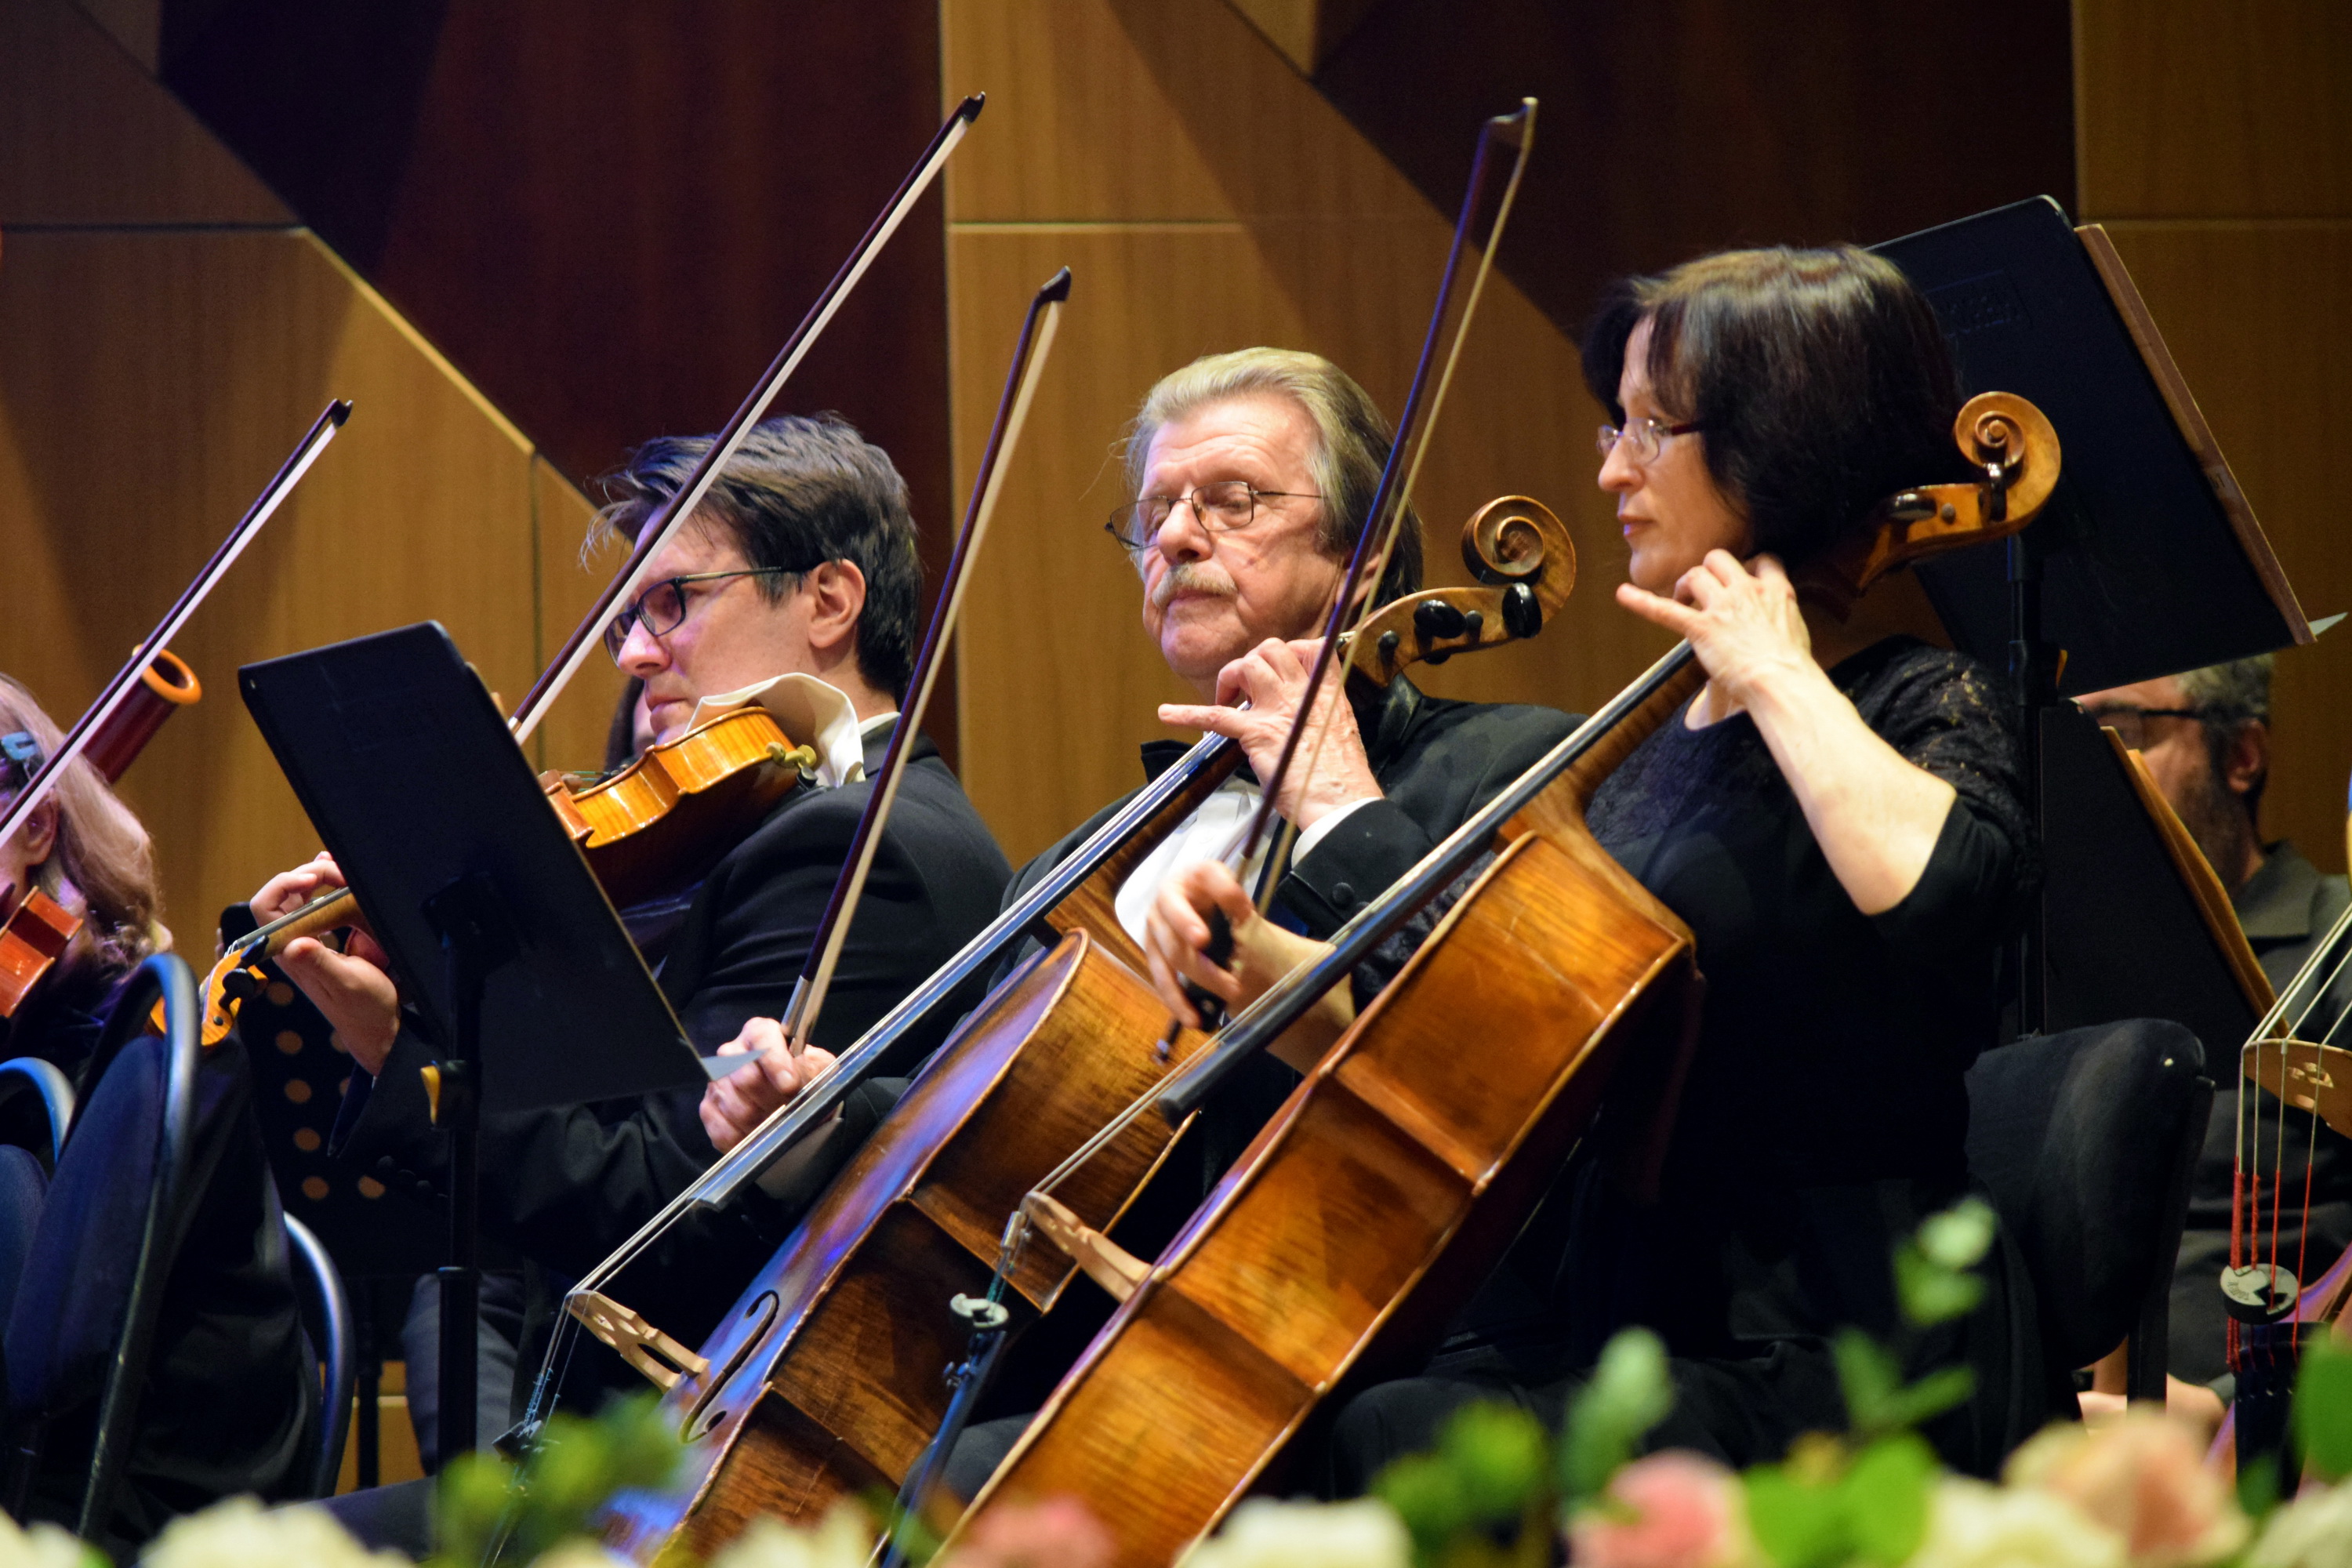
(91, 855)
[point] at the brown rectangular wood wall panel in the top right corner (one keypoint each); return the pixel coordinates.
(2214, 109)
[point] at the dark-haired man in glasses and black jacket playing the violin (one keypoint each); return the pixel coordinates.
(796, 587)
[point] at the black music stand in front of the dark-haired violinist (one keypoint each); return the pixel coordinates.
(493, 920)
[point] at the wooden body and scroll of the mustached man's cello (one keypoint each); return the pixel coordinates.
(824, 1381)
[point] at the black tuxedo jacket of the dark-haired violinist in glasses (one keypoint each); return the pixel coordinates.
(570, 1186)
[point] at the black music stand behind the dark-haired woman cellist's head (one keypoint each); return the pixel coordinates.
(2144, 563)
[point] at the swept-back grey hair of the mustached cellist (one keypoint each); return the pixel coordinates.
(1351, 441)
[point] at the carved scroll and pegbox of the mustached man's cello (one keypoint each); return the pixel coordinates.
(1525, 568)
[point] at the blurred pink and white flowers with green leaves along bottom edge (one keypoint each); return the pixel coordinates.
(1502, 1492)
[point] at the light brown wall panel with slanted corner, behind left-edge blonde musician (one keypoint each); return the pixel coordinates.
(149, 387)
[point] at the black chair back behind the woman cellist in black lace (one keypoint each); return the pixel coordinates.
(2087, 1144)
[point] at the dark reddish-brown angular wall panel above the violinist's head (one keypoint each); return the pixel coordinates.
(610, 215)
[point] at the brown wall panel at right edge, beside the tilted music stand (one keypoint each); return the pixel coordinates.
(2259, 319)
